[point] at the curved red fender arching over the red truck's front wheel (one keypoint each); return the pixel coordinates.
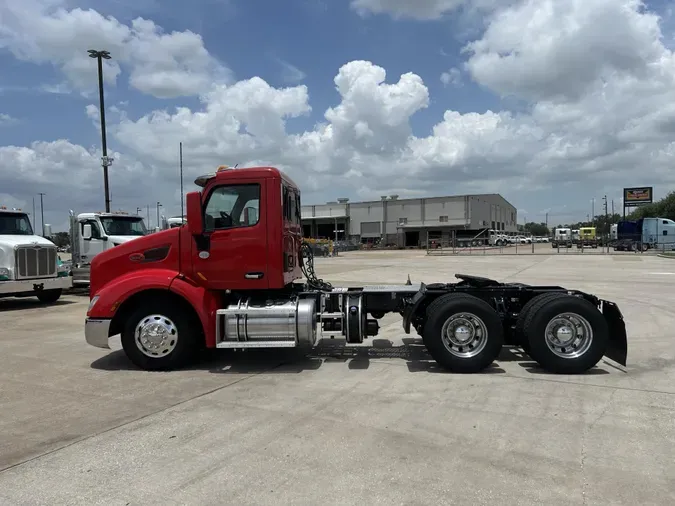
(114, 293)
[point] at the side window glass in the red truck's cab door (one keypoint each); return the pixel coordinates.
(232, 206)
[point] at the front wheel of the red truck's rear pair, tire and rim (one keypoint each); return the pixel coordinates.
(463, 333)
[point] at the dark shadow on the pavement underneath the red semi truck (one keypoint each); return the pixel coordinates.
(327, 351)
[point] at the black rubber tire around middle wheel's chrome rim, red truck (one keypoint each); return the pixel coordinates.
(443, 308)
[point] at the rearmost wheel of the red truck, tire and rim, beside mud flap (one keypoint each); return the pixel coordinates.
(566, 334)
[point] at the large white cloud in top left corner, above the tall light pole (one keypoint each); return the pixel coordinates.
(161, 64)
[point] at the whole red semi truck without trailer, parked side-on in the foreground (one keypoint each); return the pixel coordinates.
(232, 277)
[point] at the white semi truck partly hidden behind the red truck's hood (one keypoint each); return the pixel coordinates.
(92, 233)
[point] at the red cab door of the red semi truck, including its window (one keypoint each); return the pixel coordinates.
(235, 224)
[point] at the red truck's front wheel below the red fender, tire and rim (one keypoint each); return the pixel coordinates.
(160, 337)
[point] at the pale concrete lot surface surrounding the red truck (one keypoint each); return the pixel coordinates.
(376, 425)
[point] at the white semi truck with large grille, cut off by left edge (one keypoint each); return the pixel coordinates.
(29, 264)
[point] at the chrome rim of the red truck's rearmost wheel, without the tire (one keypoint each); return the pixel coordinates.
(569, 335)
